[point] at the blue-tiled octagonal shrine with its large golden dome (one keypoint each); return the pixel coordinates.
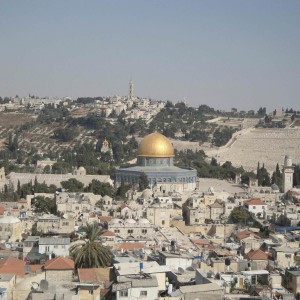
(155, 159)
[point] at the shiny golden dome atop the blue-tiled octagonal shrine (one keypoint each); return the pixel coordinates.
(155, 145)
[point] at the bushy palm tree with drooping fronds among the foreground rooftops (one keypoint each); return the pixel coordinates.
(90, 253)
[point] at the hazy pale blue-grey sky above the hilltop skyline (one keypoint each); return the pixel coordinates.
(226, 53)
